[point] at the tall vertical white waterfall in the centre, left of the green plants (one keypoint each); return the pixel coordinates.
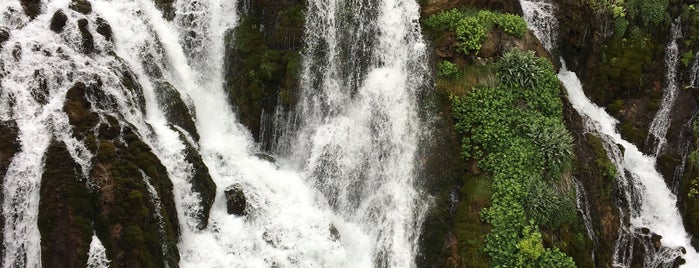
(359, 126)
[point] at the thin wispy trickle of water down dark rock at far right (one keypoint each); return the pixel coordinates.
(661, 122)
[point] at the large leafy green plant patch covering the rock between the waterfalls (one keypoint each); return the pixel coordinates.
(514, 130)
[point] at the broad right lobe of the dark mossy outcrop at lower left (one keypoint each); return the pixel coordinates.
(126, 221)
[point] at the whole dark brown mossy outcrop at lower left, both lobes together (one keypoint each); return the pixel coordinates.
(118, 207)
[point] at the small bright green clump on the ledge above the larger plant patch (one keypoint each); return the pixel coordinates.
(471, 27)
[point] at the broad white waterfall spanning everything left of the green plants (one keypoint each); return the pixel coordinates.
(354, 173)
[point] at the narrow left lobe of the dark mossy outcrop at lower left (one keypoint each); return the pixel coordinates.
(66, 210)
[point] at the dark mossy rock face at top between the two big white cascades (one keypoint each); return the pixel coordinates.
(263, 60)
